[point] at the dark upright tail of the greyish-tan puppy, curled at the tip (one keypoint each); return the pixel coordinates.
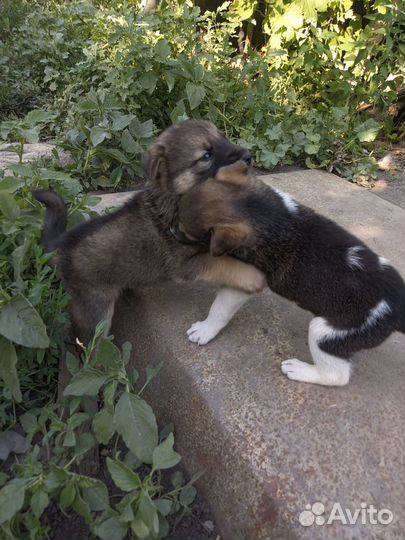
(55, 217)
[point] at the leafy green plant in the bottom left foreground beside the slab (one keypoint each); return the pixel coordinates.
(48, 472)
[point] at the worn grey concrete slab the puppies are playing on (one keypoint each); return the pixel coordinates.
(270, 446)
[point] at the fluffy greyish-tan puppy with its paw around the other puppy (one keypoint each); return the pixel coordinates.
(134, 246)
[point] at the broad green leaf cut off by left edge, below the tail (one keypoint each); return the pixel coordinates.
(21, 323)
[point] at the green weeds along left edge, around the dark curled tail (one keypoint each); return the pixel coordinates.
(32, 300)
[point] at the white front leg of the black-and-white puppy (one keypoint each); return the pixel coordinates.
(226, 304)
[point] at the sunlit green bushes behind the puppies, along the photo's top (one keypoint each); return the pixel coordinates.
(295, 99)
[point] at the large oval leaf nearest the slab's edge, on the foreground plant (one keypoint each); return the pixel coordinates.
(135, 421)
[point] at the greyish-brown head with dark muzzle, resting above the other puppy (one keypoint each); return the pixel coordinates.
(189, 153)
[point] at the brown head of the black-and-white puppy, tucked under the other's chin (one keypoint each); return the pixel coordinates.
(214, 208)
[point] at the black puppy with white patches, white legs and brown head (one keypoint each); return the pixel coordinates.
(358, 298)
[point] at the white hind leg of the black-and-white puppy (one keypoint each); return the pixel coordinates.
(327, 369)
